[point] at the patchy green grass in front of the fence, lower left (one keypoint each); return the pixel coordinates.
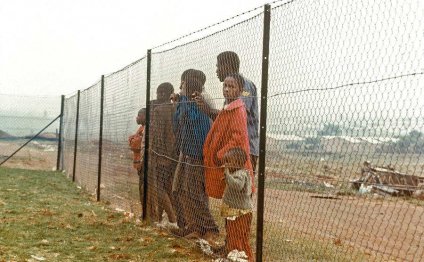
(43, 215)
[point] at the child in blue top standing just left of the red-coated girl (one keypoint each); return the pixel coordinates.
(191, 127)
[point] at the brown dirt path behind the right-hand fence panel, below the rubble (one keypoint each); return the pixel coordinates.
(389, 229)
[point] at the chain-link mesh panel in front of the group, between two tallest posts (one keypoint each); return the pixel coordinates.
(188, 173)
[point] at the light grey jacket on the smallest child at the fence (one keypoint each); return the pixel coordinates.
(238, 190)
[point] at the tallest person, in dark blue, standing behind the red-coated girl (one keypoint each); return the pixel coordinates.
(228, 63)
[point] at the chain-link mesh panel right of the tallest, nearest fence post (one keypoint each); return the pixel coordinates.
(345, 87)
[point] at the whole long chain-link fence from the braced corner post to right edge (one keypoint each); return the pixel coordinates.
(334, 169)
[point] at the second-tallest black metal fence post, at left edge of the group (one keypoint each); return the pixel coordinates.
(146, 133)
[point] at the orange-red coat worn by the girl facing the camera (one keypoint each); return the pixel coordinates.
(228, 130)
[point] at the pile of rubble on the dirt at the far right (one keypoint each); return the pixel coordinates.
(388, 181)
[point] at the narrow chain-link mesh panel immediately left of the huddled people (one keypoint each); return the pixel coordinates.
(124, 95)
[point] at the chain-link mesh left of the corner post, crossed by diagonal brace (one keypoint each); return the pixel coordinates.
(22, 117)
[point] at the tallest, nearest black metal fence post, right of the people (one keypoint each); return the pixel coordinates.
(262, 135)
